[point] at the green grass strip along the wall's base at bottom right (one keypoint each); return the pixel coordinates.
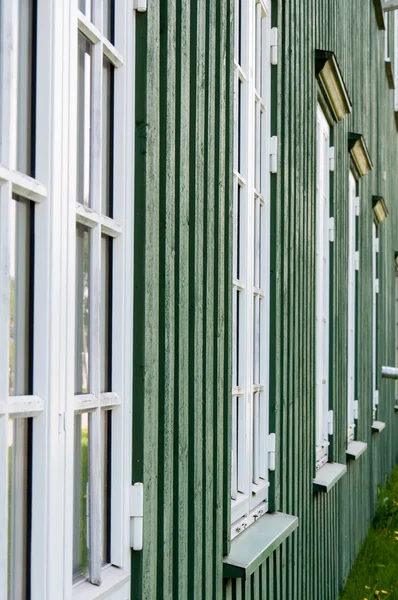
(375, 572)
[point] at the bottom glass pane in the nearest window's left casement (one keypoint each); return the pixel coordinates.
(18, 509)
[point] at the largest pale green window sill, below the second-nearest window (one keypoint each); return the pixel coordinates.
(251, 548)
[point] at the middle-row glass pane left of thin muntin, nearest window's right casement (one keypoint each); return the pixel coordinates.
(82, 310)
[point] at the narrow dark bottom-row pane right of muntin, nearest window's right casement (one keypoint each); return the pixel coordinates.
(106, 427)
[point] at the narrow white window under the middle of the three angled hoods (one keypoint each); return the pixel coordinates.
(352, 268)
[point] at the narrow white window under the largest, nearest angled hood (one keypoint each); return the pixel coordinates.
(323, 227)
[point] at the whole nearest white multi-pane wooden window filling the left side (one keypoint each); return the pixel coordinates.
(66, 139)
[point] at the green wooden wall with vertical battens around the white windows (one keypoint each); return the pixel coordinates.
(182, 296)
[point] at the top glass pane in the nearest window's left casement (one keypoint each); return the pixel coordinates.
(26, 58)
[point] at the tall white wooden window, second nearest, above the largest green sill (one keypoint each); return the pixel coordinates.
(251, 218)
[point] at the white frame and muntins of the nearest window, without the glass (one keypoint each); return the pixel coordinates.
(53, 403)
